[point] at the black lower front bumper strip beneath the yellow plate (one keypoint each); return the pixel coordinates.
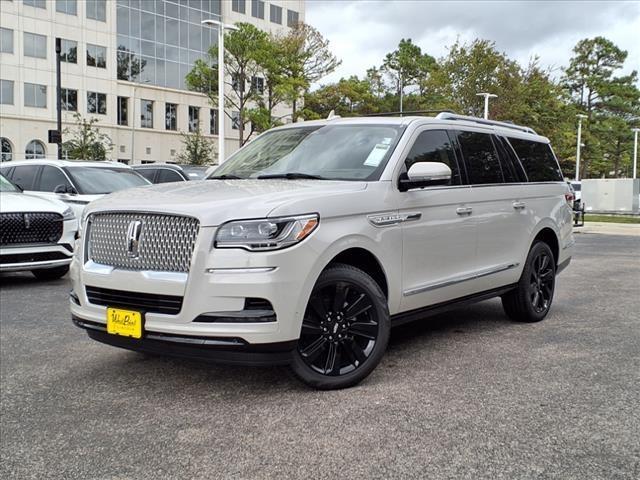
(226, 350)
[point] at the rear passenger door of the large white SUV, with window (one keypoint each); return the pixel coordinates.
(502, 217)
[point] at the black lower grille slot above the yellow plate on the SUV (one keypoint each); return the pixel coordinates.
(142, 302)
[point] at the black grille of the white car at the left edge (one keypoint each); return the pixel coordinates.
(28, 228)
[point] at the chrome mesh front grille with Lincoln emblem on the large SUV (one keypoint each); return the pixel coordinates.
(161, 243)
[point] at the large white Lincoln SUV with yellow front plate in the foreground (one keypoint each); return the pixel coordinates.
(313, 240)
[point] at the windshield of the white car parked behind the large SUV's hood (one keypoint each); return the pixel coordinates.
(101, 180)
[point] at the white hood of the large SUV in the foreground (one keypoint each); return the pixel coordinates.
(216, 201)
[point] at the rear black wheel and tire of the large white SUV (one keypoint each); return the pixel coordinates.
(531, 300)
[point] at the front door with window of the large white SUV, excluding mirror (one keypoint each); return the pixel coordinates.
(438, 236)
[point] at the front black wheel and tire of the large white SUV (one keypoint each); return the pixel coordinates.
(345, 330)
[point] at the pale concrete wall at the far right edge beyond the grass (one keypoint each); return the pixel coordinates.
(615, 195)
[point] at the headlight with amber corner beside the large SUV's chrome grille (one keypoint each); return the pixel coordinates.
(265, 233)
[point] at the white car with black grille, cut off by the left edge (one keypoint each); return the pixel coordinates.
(36, 234)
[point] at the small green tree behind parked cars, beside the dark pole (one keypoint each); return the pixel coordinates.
(87, 142)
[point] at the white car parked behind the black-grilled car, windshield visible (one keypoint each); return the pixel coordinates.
(74, 182)
